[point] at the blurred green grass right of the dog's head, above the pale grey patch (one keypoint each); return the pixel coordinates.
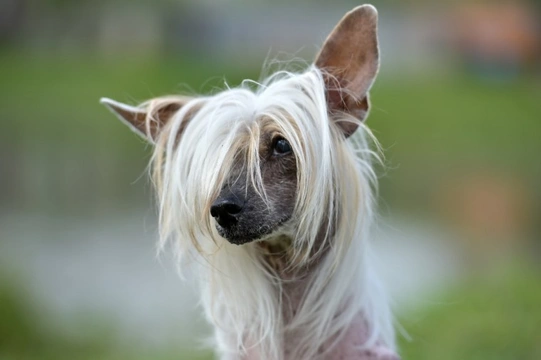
(434, 129)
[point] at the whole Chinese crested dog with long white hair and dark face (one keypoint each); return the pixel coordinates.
(269, 189)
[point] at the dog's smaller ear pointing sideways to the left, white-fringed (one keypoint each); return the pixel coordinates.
(147, 119)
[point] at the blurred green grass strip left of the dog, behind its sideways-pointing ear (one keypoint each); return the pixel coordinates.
(55, 100)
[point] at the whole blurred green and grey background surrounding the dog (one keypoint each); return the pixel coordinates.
(457, 108)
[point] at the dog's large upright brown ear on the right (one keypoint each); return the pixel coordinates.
(349, 60)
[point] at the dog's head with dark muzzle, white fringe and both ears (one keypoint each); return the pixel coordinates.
(252, 163)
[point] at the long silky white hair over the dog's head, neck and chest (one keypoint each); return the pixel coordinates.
(335, 176)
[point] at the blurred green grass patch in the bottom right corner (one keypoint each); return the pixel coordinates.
(496, 318)
